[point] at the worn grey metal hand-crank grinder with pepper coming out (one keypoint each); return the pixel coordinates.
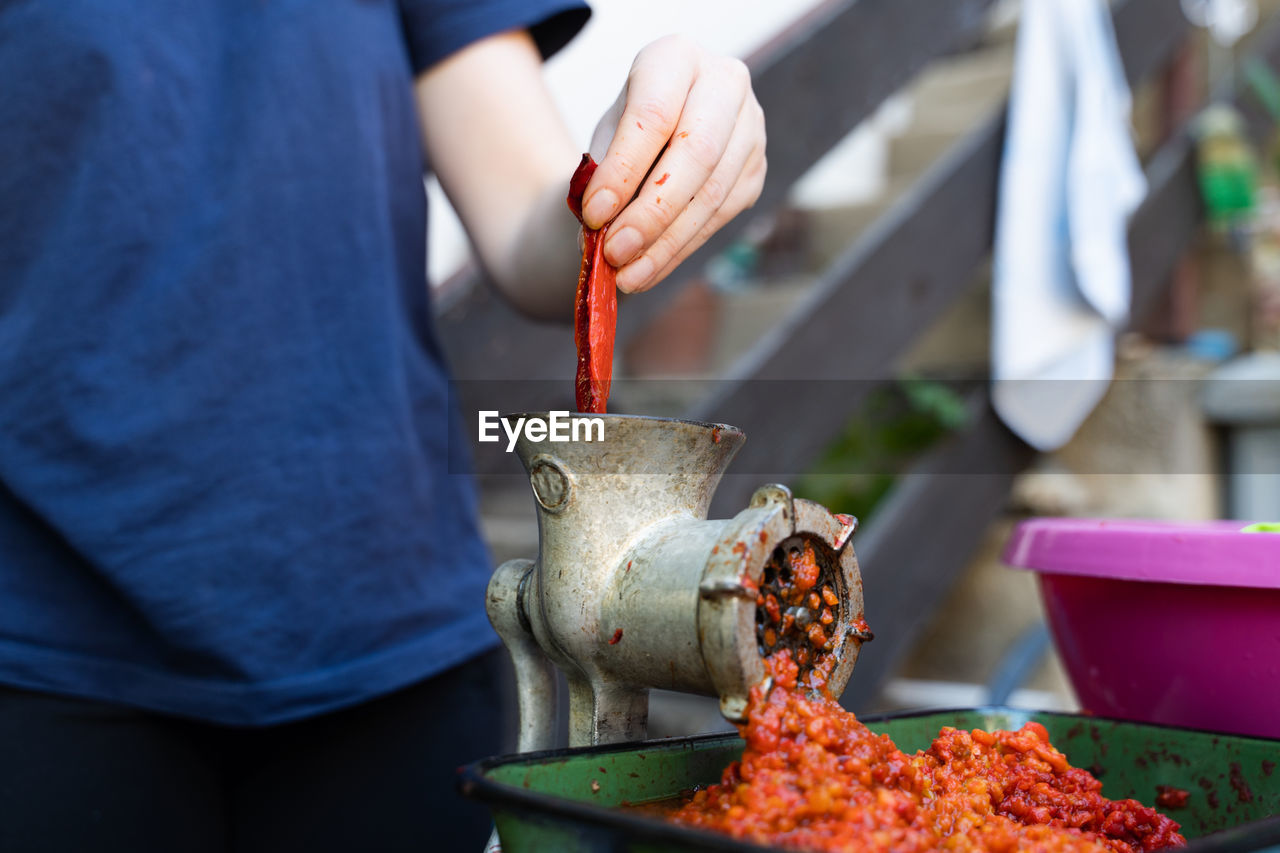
(634, 589)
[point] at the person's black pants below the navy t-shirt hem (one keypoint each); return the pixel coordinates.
(88, 777)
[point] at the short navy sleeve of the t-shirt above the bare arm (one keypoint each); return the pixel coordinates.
(436, 29)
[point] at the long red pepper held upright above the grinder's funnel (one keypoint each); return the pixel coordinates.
(596, 308)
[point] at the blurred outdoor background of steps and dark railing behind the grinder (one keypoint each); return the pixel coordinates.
(845, 322)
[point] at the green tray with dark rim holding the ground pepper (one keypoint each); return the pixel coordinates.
(568, 800)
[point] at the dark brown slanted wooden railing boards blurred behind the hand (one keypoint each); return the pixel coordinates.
(817, 81)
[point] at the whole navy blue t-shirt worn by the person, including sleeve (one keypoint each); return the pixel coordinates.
(226, 439)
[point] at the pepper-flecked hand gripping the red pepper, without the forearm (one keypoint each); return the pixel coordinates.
(685, 154)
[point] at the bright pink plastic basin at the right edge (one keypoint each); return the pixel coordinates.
(1169, 623)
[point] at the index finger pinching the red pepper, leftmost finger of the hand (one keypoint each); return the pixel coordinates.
(657, 89)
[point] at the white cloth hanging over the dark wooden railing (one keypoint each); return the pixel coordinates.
(1069, 181)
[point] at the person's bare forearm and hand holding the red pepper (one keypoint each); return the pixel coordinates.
(687, 133)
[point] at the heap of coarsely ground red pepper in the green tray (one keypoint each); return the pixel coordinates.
(813, 778)
